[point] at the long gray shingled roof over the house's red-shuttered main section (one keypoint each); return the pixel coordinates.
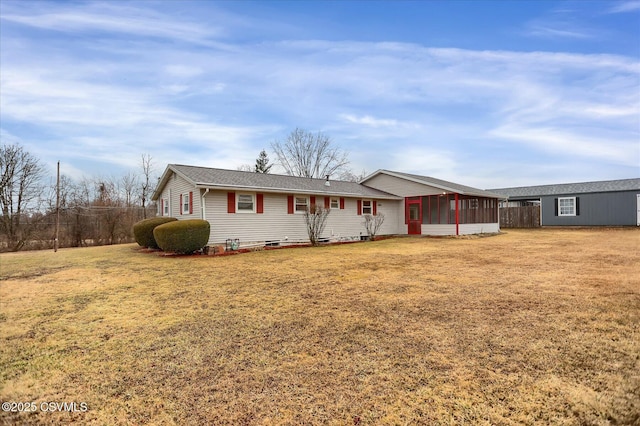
(206, 177)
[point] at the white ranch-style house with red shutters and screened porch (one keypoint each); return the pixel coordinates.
(256, 207)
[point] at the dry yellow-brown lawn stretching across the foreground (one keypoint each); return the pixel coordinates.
(527, 327)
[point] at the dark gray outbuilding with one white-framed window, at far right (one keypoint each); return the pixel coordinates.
(604, 203)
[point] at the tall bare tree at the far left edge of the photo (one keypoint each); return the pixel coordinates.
(20, 187)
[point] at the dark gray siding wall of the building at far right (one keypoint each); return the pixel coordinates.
(596, 209)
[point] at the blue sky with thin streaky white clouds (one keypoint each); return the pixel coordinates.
(483, 93)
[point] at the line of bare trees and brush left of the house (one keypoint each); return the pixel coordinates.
(91, 211)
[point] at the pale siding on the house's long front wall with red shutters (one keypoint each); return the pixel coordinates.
(276, 224)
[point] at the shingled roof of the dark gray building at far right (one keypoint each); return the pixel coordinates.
(570, 188)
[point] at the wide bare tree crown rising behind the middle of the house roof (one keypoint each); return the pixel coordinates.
(310, 155)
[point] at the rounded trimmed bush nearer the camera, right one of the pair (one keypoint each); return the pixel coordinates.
(183, 236)
